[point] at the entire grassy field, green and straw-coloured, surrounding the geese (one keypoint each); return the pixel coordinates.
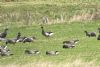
(68, 19)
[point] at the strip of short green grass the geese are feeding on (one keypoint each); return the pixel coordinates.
(88, 49)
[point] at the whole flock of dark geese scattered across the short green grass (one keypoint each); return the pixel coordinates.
(4, 51)
